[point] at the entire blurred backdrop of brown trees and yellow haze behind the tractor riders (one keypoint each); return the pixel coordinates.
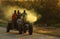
(44, 12)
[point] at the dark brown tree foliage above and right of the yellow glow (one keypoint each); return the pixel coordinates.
(49, 9)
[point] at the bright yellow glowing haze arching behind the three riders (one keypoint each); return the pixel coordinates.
(31, 15)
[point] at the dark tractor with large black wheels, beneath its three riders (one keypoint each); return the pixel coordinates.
(23, 28)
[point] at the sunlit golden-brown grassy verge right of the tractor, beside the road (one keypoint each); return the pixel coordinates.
(48, 31)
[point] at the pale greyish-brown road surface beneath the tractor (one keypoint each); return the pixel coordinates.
(15, 35)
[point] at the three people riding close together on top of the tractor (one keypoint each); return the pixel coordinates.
(18, 18)
